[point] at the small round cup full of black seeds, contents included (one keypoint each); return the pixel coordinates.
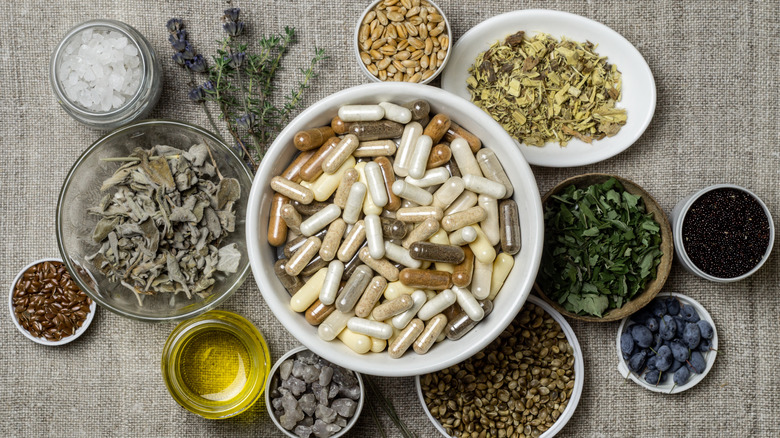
(722, 233)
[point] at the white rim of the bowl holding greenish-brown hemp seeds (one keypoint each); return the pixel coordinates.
(579, 376)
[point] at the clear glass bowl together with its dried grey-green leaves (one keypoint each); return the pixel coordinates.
(151, 221)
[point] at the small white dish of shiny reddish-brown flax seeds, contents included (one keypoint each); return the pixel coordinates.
(47, 305)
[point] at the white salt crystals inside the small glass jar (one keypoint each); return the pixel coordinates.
(101, 70)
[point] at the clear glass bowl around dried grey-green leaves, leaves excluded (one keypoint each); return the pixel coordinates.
(81, 190)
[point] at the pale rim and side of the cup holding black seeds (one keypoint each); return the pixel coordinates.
(678, 219)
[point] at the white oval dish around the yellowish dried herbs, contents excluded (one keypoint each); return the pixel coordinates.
(639, 91)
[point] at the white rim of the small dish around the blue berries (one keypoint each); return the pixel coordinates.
(668, 387)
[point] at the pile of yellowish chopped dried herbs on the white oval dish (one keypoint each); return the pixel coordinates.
(543, 90)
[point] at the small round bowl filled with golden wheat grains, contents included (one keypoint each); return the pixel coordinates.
(402, 40)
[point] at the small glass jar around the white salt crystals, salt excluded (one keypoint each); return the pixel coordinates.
(136, 107)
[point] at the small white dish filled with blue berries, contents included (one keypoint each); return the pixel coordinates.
(669, 345)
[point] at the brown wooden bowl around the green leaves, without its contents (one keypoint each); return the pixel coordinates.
(667, 247)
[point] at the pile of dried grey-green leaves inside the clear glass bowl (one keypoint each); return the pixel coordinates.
(161, 228)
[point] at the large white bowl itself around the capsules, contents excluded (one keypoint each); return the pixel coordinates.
(517, 285)
